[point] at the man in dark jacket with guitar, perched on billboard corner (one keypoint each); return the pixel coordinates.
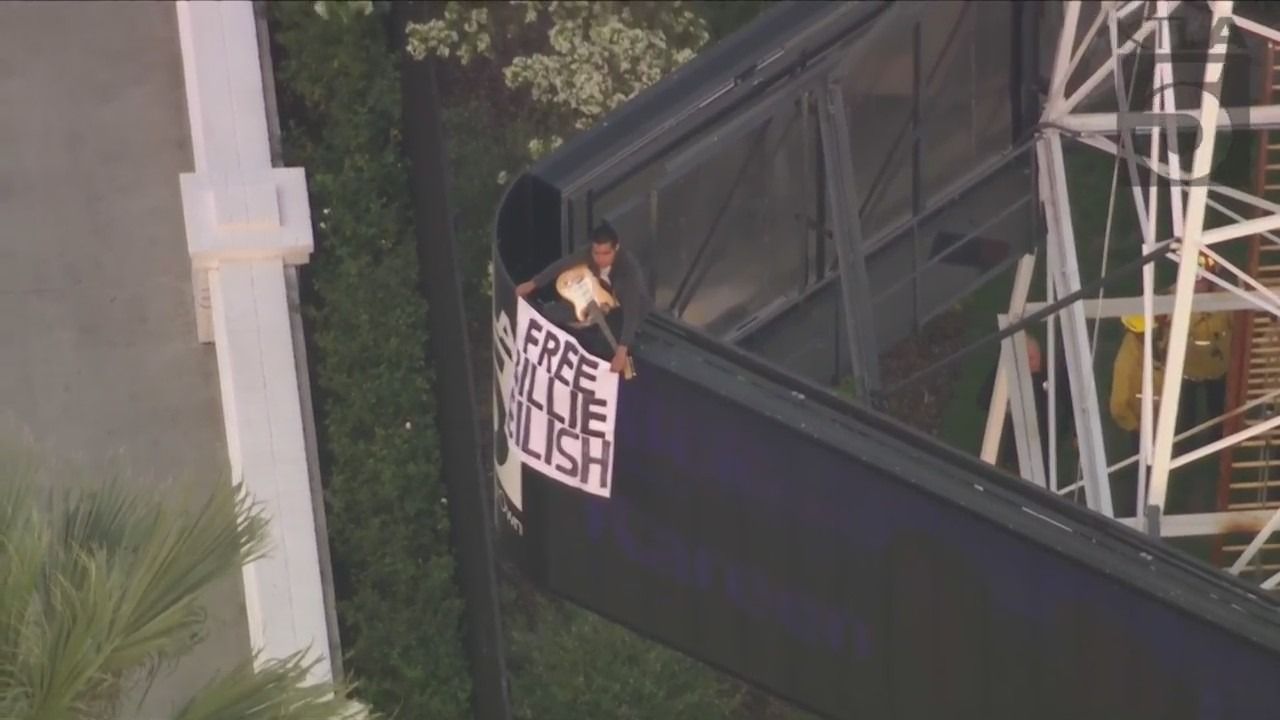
(620, 275)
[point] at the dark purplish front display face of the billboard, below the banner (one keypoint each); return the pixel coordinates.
(835, 578)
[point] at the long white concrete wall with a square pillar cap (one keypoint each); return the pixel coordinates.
(246, 224)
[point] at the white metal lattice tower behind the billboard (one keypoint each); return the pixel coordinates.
(1165, 136)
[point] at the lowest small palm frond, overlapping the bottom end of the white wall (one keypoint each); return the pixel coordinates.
(277, 691)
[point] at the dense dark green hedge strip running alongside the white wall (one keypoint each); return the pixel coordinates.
(399, 608)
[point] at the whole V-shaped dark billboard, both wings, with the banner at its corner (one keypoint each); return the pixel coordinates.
(817, 555)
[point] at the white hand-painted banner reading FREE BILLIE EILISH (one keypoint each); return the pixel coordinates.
(561, 404)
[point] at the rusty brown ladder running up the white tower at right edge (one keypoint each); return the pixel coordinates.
(1251, 471)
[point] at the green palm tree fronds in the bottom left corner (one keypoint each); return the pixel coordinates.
(100, 590)
